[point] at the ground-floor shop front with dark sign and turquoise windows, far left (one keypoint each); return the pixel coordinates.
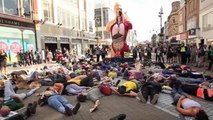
(16, 36)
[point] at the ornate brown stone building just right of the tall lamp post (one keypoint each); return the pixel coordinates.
(173, 21)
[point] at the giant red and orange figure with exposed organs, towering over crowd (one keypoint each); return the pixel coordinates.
(119, 28)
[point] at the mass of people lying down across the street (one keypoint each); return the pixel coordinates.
(93, 79)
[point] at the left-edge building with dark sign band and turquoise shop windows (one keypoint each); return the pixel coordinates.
(17, 29)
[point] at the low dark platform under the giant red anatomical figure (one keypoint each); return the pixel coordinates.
(120, 59)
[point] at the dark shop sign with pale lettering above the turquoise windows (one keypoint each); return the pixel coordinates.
(15, 23)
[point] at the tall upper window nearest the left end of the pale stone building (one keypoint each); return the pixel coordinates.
(47, 10)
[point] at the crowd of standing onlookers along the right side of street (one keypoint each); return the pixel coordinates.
(199, 56)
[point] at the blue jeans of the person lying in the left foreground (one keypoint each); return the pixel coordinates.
(59, 103)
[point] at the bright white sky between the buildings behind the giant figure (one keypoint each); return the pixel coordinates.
(143, 14)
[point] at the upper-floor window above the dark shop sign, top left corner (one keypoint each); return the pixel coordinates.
(11, 7)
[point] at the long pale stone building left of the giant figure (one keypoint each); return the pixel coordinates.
(64, 25)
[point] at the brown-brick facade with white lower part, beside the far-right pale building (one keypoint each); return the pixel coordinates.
(192, 13)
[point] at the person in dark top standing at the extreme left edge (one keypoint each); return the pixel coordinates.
(3, 61)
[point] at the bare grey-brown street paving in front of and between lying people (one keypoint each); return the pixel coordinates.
(112, 106)
